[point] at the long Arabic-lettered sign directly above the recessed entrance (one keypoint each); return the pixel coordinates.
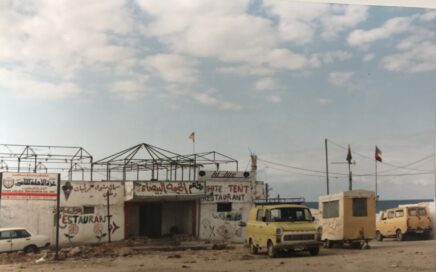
(167, 188)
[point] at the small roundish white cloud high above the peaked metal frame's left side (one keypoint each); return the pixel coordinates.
(128, 90)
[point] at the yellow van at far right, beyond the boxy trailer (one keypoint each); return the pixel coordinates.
(398, 222)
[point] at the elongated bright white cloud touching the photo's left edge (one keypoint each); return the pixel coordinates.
(25, 86)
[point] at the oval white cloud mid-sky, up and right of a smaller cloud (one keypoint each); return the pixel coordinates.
(173, 68)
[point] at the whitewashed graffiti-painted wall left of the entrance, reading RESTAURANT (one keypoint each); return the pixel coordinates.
(77, 224)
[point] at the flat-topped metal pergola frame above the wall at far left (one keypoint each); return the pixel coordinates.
(61, 159)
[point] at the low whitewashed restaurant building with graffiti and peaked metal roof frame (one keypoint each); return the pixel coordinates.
(153, 197)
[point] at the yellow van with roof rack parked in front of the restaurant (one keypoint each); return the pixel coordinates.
(281, 225)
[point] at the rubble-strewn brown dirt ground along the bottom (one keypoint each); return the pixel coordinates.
(388, 255)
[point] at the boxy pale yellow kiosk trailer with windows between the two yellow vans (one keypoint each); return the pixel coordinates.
(348, 217)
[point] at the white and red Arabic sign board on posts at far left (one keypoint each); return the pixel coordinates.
(28, 186)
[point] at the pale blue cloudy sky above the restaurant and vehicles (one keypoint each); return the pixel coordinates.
(274, 78)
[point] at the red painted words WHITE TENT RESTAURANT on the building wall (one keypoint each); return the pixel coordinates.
(217, 192)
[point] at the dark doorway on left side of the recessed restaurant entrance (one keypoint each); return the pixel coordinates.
(150, 221)
